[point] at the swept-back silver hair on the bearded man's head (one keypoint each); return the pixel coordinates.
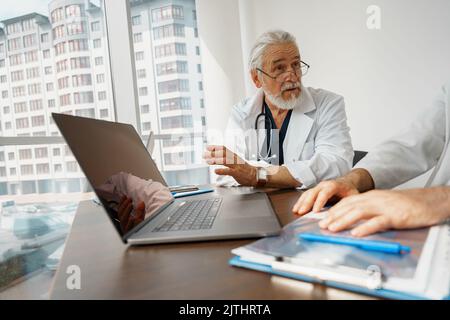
(266, 39)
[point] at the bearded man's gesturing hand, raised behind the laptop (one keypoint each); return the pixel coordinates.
(241, 171)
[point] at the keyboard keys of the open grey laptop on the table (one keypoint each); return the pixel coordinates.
(193, 215)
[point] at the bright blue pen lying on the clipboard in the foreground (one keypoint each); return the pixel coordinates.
(369, 245)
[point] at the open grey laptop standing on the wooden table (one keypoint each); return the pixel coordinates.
(137, 199)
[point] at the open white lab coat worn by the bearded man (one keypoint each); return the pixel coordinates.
(317, 145)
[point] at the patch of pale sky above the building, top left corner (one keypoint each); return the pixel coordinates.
(14, 8)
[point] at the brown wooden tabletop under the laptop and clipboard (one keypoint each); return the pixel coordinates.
(112, 270)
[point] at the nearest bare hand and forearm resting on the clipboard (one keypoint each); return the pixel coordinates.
(382, 210)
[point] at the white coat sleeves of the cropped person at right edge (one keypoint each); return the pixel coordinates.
(424, 145)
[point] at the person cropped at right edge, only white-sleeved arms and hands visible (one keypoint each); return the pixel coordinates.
(423, 146)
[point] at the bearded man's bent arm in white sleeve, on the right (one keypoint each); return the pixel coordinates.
(333, 152)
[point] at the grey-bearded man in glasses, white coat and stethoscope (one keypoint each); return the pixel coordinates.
(298, 136)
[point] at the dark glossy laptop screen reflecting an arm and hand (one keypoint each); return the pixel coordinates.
(118, 167)
